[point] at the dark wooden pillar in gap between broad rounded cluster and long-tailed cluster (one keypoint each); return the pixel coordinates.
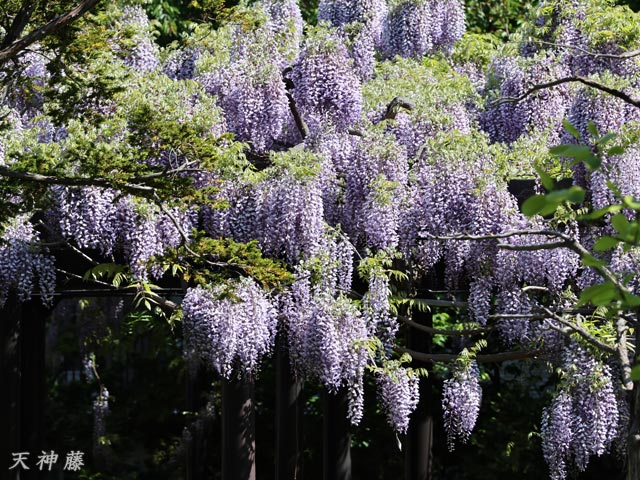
(288, 418)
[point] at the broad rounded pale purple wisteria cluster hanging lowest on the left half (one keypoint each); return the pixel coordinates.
(229, 327)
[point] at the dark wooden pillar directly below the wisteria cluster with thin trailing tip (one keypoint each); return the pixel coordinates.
(336, 437)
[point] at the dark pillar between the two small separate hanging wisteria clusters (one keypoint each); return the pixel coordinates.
(419, 448)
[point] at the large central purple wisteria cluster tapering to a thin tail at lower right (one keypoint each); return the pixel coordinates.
(325, 329)
